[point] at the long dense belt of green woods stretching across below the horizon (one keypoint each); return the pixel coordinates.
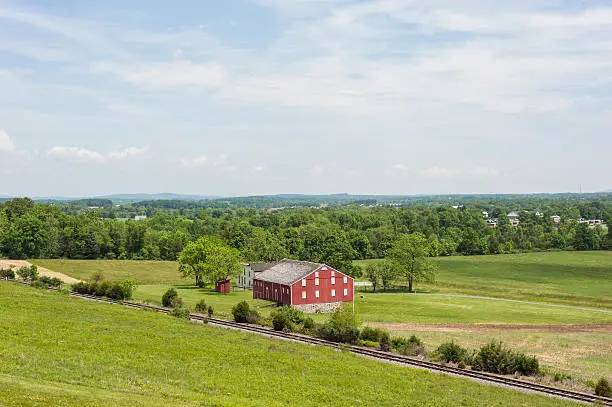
(334, 235)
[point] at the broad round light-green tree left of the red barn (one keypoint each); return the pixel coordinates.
(208, 260)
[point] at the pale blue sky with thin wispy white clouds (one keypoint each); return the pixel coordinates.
(305, 96)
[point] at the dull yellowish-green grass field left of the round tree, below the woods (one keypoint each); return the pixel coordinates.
(141, 272)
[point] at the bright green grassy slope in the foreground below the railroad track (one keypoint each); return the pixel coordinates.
(58, 350)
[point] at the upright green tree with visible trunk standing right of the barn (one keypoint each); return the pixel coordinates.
(409, 256)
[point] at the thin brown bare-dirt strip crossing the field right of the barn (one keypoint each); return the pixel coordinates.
(602, 328)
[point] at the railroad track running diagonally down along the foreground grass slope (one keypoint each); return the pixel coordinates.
(378, 354)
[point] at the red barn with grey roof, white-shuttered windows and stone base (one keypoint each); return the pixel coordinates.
(304, 285)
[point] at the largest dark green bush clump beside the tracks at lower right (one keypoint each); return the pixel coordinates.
(496, 358)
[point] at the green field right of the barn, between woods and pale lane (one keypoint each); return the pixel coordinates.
(573, 278)
